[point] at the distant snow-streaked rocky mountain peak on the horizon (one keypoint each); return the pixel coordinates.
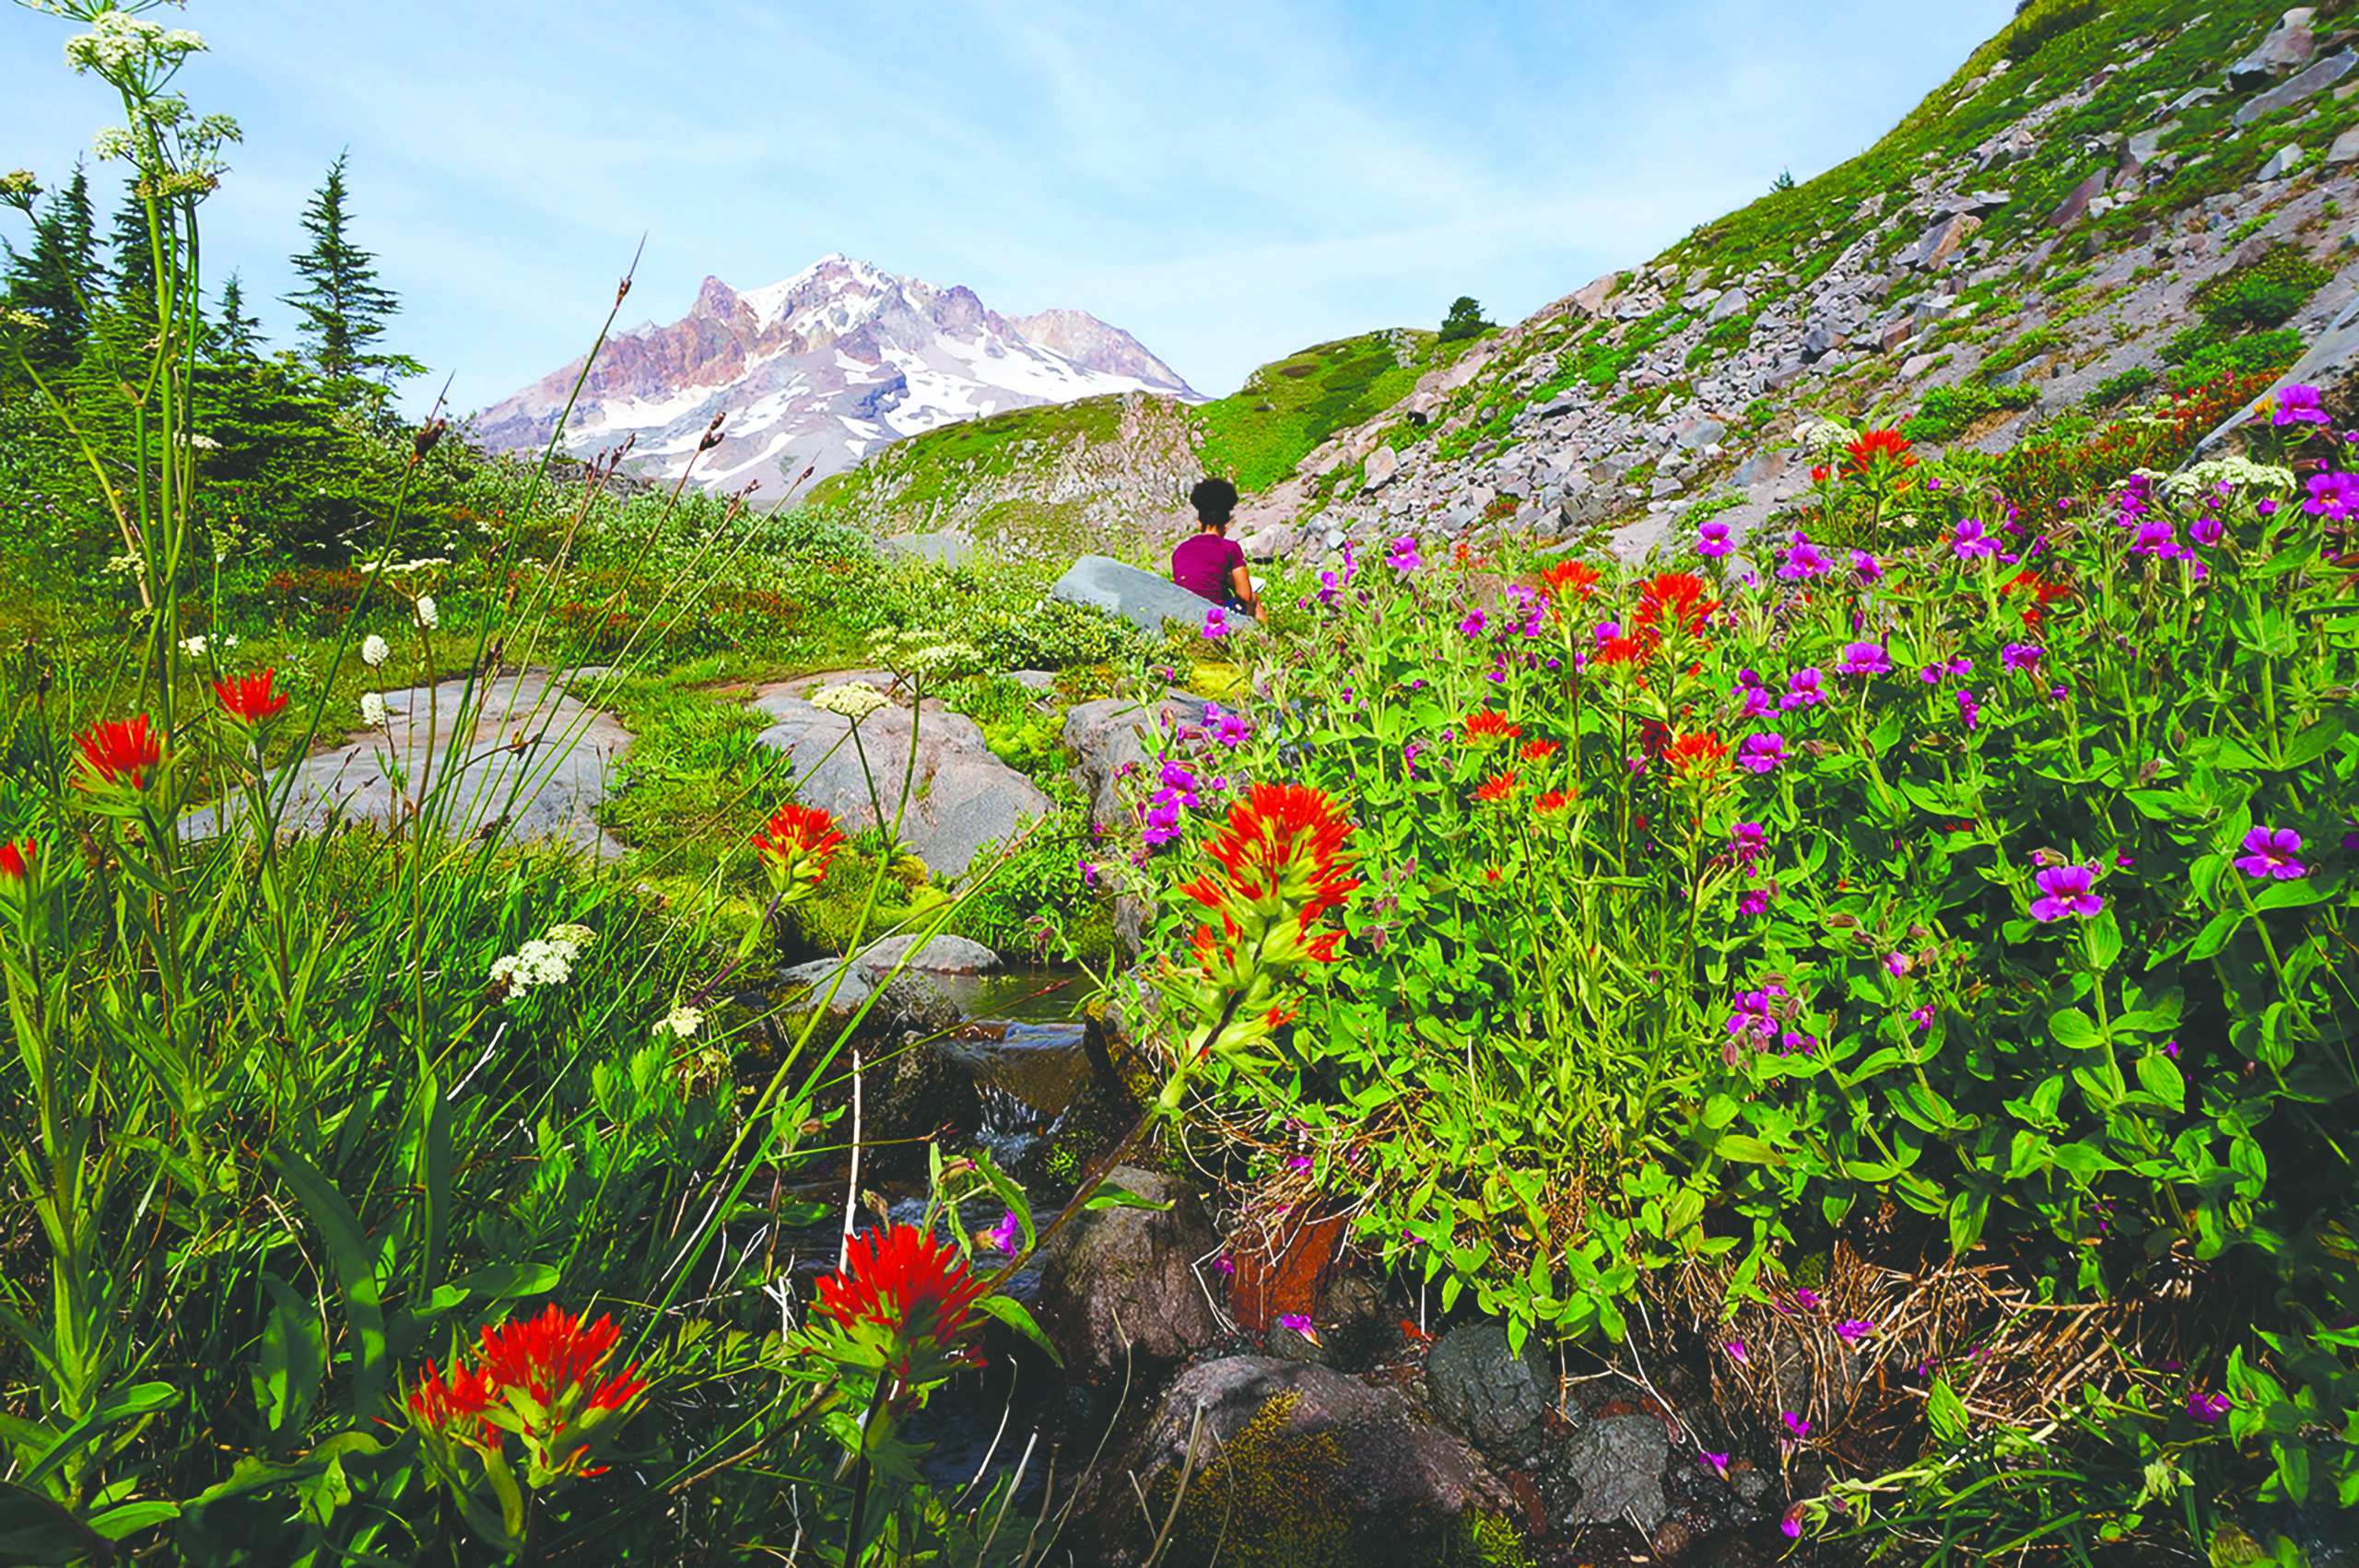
(820, 369)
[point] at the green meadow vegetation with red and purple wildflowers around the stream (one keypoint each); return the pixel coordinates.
(1903, 975)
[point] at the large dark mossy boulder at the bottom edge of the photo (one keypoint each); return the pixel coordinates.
(1289, 1454)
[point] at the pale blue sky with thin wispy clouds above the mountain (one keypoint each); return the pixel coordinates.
(1228, 180)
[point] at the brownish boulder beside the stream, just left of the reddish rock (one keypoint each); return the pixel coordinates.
(1119, 1289)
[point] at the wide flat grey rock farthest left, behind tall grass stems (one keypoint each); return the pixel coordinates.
(525, 756)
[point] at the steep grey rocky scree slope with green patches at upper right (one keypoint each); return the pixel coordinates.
(2035, 242)
